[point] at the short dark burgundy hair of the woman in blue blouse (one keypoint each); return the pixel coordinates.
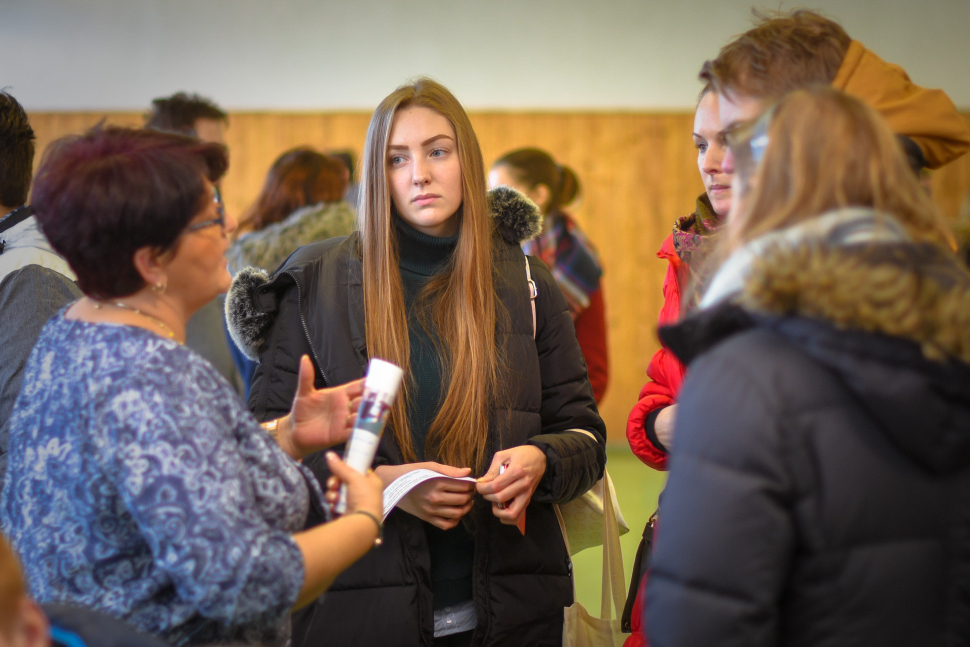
(103, 195)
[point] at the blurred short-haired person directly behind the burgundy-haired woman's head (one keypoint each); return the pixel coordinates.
(196, 116)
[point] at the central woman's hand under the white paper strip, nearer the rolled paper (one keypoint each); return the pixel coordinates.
(440, 502)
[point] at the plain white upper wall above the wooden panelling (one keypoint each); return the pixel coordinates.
(343, 54)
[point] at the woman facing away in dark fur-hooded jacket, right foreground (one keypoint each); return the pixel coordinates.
(819, 488)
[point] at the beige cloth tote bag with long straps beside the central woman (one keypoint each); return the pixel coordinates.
(580, 627)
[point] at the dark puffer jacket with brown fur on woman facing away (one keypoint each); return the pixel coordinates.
(819, 489)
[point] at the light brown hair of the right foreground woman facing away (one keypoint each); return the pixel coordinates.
(827, 150)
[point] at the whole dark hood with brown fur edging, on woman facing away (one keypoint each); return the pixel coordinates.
(890, 317)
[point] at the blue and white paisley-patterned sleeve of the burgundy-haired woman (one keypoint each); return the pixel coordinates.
(213, 497)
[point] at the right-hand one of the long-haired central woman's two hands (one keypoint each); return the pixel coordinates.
(514, 488)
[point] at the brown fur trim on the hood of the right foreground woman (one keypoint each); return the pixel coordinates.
(913, 291)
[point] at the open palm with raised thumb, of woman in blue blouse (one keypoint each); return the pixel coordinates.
(320, 418)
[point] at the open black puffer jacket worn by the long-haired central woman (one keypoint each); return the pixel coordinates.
(313, 304)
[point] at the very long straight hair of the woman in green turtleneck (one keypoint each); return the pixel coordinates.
(460, 303)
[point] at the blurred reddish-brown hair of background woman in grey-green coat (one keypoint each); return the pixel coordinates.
(299, 177)
